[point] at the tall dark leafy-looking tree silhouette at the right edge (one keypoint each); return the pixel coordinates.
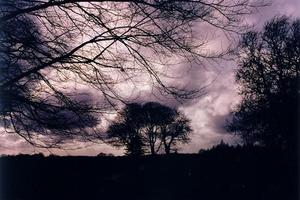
(269, 79)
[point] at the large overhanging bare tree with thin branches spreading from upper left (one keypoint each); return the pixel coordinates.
(102, 44)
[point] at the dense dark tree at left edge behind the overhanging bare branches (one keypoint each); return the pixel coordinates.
(33, 104)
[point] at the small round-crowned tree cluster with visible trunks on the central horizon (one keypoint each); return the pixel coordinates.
(149, 128)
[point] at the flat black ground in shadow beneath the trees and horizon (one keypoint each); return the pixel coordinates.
(221, 173)
